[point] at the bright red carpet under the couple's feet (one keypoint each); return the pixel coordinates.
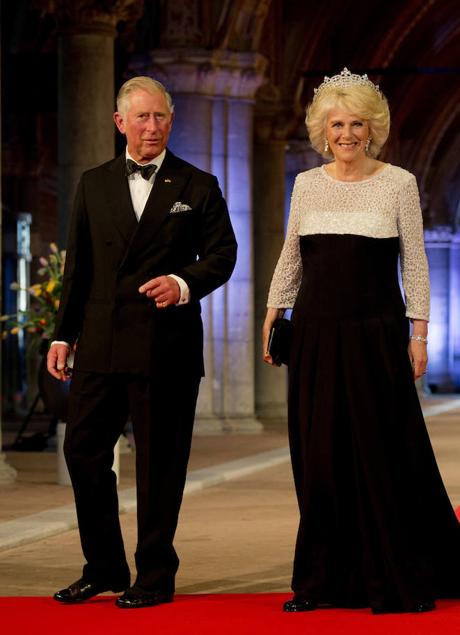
(225, 614)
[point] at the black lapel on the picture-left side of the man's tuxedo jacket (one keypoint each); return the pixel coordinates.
(119, 199)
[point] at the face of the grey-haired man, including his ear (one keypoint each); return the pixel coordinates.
(147, 125)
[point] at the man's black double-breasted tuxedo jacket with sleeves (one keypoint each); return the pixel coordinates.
(110, 255)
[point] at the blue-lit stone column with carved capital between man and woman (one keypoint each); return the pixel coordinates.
(213, 93)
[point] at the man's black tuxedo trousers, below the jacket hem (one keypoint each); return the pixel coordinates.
(162, 410)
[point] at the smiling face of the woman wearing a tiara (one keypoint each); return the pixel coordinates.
(347, 135)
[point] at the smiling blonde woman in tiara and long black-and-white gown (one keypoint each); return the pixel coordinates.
(376, 525)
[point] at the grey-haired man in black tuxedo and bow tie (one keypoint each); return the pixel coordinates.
(150, 235)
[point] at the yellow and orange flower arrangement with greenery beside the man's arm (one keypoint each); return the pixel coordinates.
(39, 319)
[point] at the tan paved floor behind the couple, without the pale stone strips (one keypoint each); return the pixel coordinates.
(237, 536)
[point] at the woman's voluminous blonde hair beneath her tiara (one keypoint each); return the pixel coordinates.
(363, 101)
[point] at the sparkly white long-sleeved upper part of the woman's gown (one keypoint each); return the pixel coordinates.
(383, 206)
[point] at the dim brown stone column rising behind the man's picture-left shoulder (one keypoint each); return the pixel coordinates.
(87, 30)
